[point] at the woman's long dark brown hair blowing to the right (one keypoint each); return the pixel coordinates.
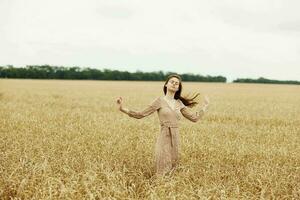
(190, 102)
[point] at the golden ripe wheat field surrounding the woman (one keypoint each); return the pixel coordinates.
(66, 139)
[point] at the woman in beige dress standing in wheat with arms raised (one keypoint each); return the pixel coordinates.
(169, 107)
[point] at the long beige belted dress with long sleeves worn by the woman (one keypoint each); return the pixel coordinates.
(167, 143)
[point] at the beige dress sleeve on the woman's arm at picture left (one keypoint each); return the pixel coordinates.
(151, 108)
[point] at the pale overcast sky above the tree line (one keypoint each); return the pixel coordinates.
(235, 39)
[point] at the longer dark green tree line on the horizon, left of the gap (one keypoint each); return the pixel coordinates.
(60, 72)
